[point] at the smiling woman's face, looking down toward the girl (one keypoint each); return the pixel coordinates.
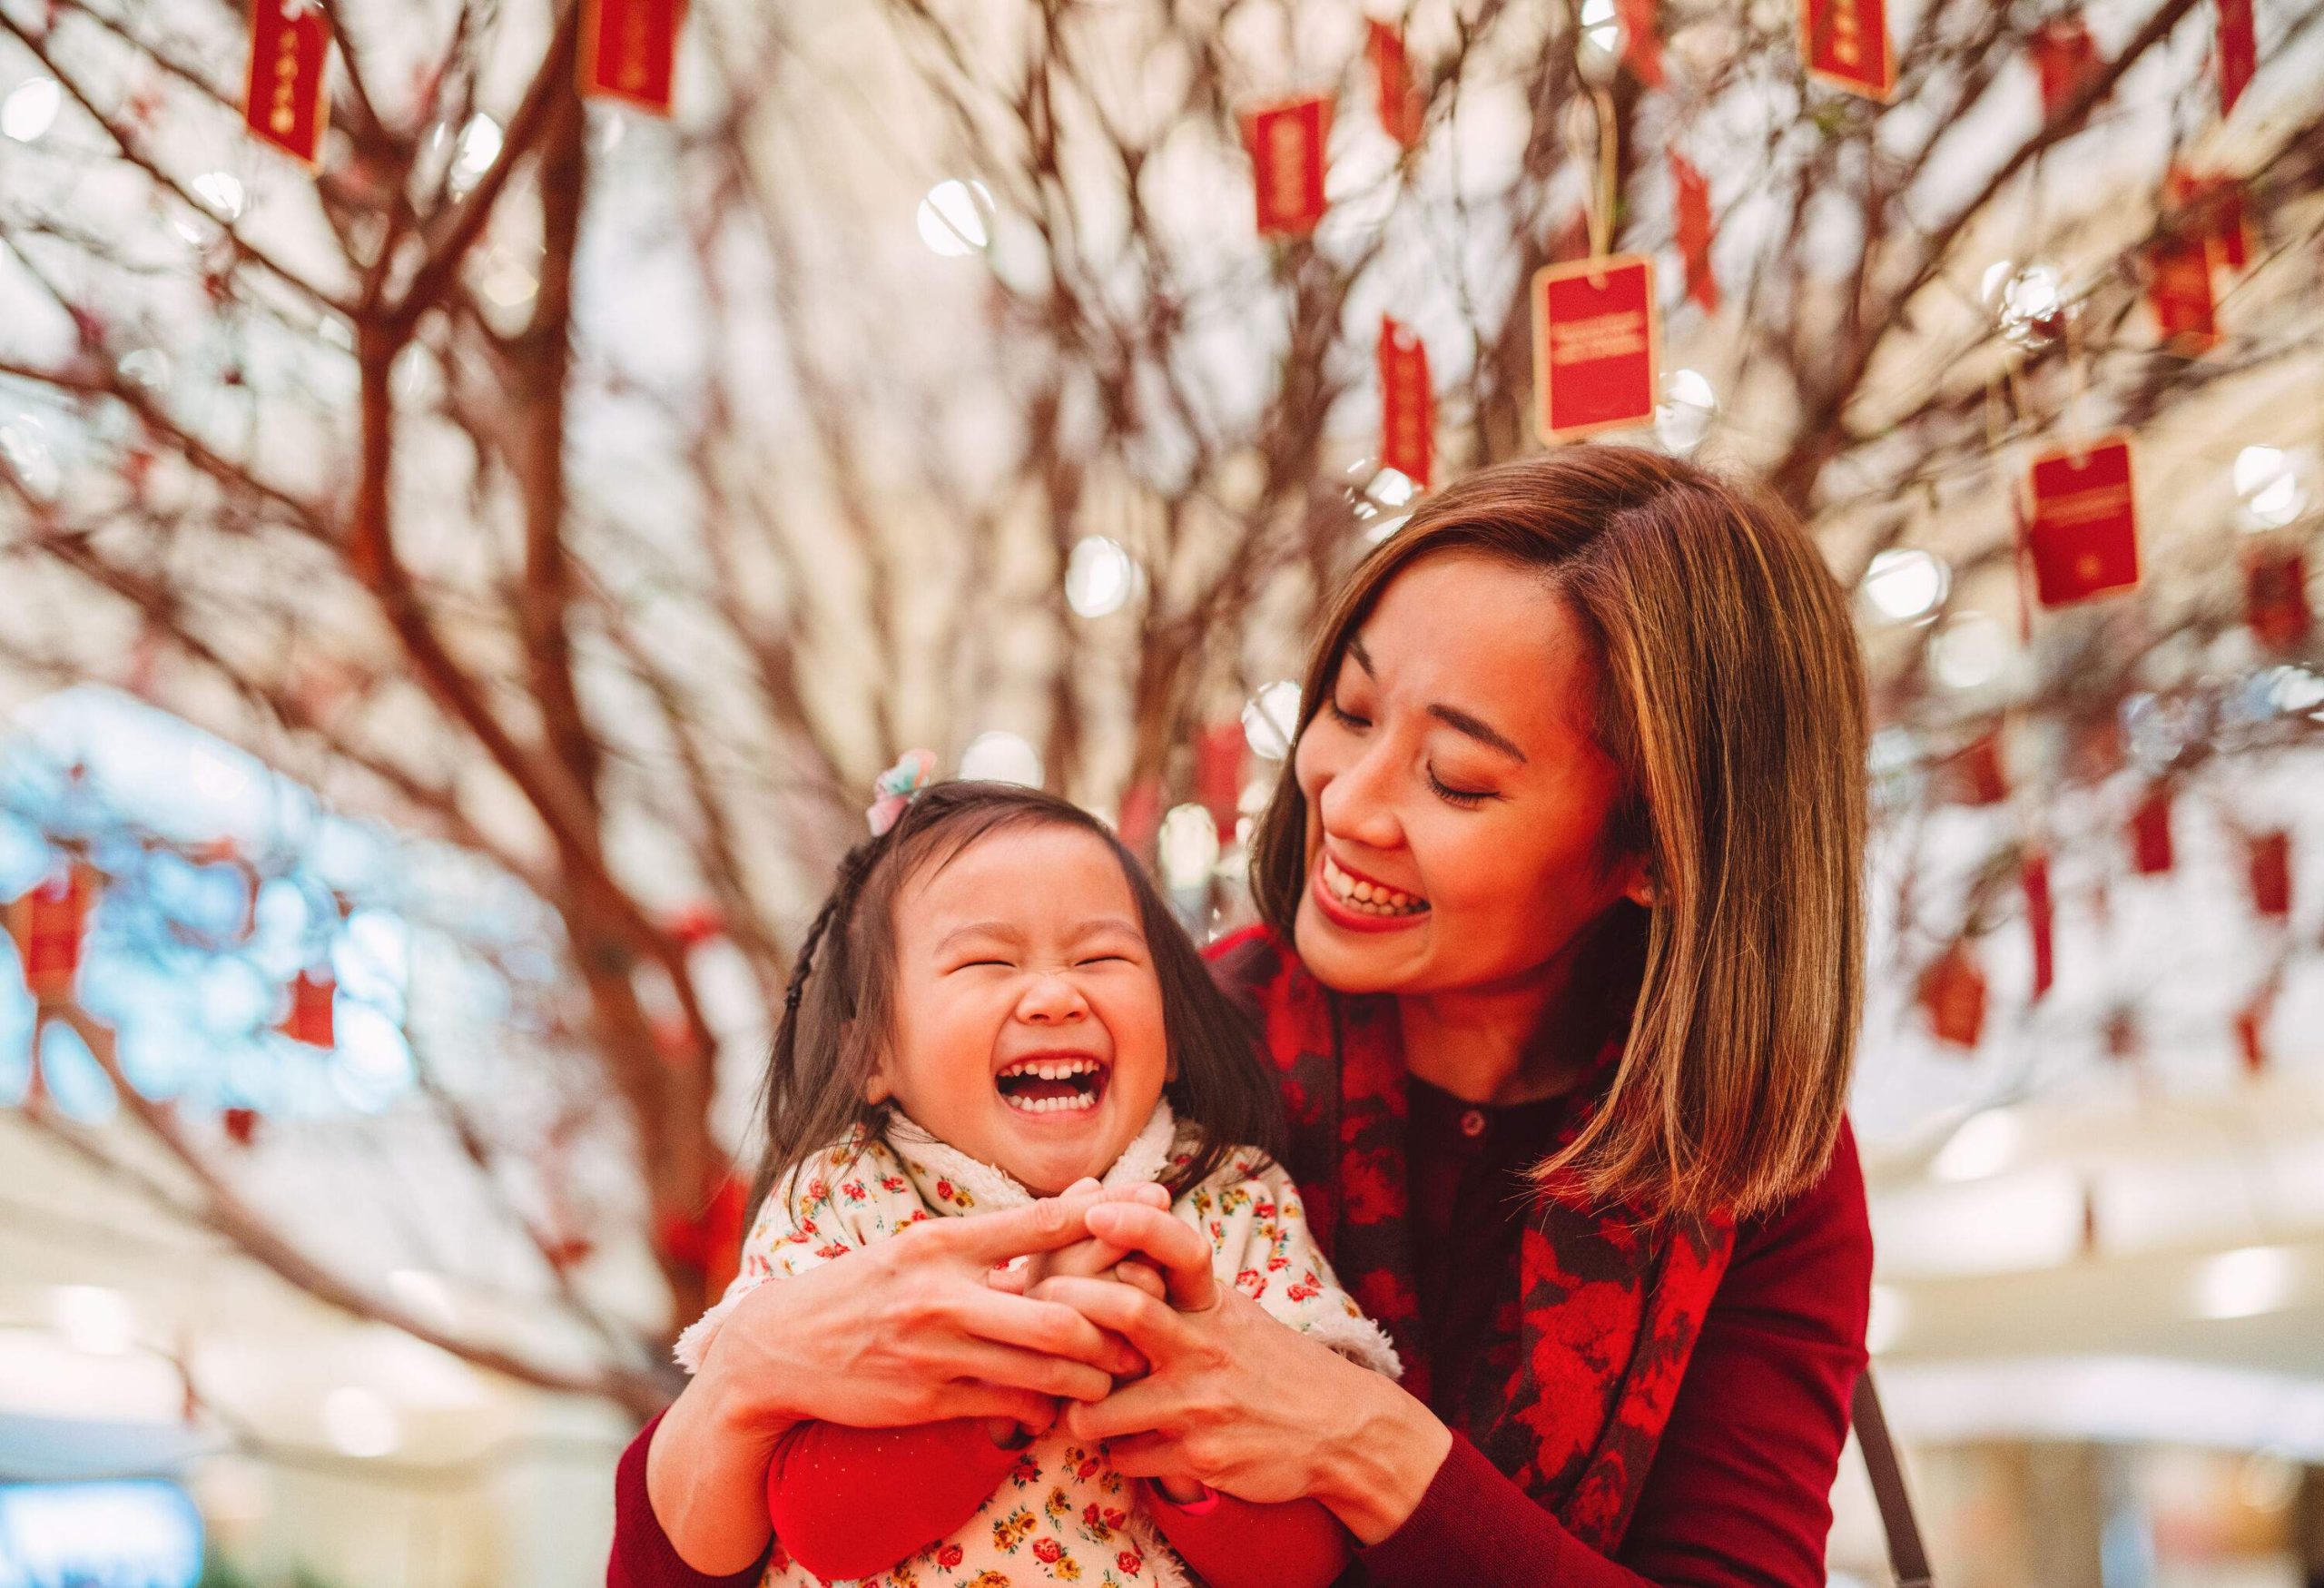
(1454, 789)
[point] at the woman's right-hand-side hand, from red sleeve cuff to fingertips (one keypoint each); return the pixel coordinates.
(1238, 1401)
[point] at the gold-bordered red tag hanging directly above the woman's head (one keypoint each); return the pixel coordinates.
(1595, 348)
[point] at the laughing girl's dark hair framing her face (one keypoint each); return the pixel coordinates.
(840, 1006)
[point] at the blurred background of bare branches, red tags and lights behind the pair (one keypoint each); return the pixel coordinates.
(485, 485)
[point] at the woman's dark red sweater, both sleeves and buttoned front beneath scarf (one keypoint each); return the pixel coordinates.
(1740, 1492)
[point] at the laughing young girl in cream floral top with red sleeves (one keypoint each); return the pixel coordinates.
(996, 1006)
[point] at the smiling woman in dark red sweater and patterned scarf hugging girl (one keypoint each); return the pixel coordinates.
(1561, 966)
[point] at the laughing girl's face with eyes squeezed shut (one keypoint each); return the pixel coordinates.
(1028, 1015)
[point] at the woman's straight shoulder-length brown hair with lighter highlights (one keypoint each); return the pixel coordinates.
(1733, 701)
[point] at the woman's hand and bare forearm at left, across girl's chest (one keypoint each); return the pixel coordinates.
(905, 1331)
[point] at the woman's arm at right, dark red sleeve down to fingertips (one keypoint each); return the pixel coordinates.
(1740, 1492)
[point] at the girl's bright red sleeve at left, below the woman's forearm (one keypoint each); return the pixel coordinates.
(859, 1501)
